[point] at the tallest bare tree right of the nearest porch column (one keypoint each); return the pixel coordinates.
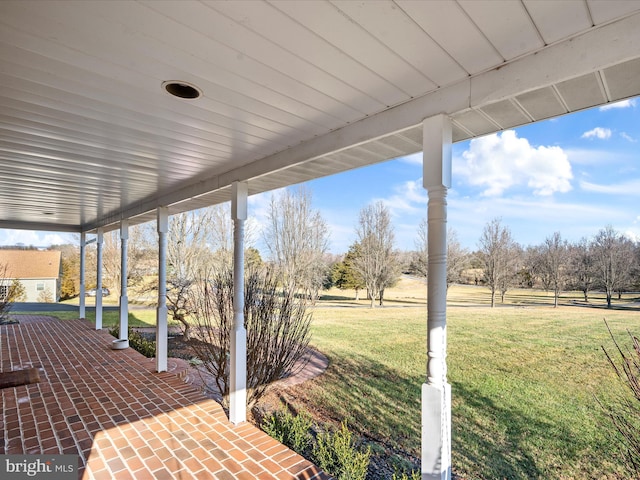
(498, 253)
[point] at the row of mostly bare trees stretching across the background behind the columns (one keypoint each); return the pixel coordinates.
(296, 239)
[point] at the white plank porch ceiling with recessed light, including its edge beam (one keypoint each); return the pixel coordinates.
(292, 90)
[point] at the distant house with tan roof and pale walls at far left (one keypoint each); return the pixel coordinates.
(39, 272)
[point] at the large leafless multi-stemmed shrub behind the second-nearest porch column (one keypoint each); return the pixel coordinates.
(277, 327)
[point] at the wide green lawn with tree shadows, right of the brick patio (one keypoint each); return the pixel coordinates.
(524, 382)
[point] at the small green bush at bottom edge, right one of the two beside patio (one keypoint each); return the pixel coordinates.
(336, 453)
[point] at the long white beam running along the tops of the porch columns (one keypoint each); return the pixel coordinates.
(617, 42)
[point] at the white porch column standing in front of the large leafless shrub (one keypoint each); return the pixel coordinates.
(238, 353)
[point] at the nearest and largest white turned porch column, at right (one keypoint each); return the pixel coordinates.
(436, 393)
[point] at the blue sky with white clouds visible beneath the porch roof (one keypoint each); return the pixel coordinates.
(573, 174)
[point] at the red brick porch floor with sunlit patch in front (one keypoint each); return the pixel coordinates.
(120, 417)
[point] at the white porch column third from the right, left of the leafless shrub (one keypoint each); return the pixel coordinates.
(161, 313)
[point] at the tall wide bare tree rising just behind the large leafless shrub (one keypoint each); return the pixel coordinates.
(297, 238)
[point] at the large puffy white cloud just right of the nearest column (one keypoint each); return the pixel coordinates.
(499, 162)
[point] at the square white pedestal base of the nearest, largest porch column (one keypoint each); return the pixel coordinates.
(436, 432)
